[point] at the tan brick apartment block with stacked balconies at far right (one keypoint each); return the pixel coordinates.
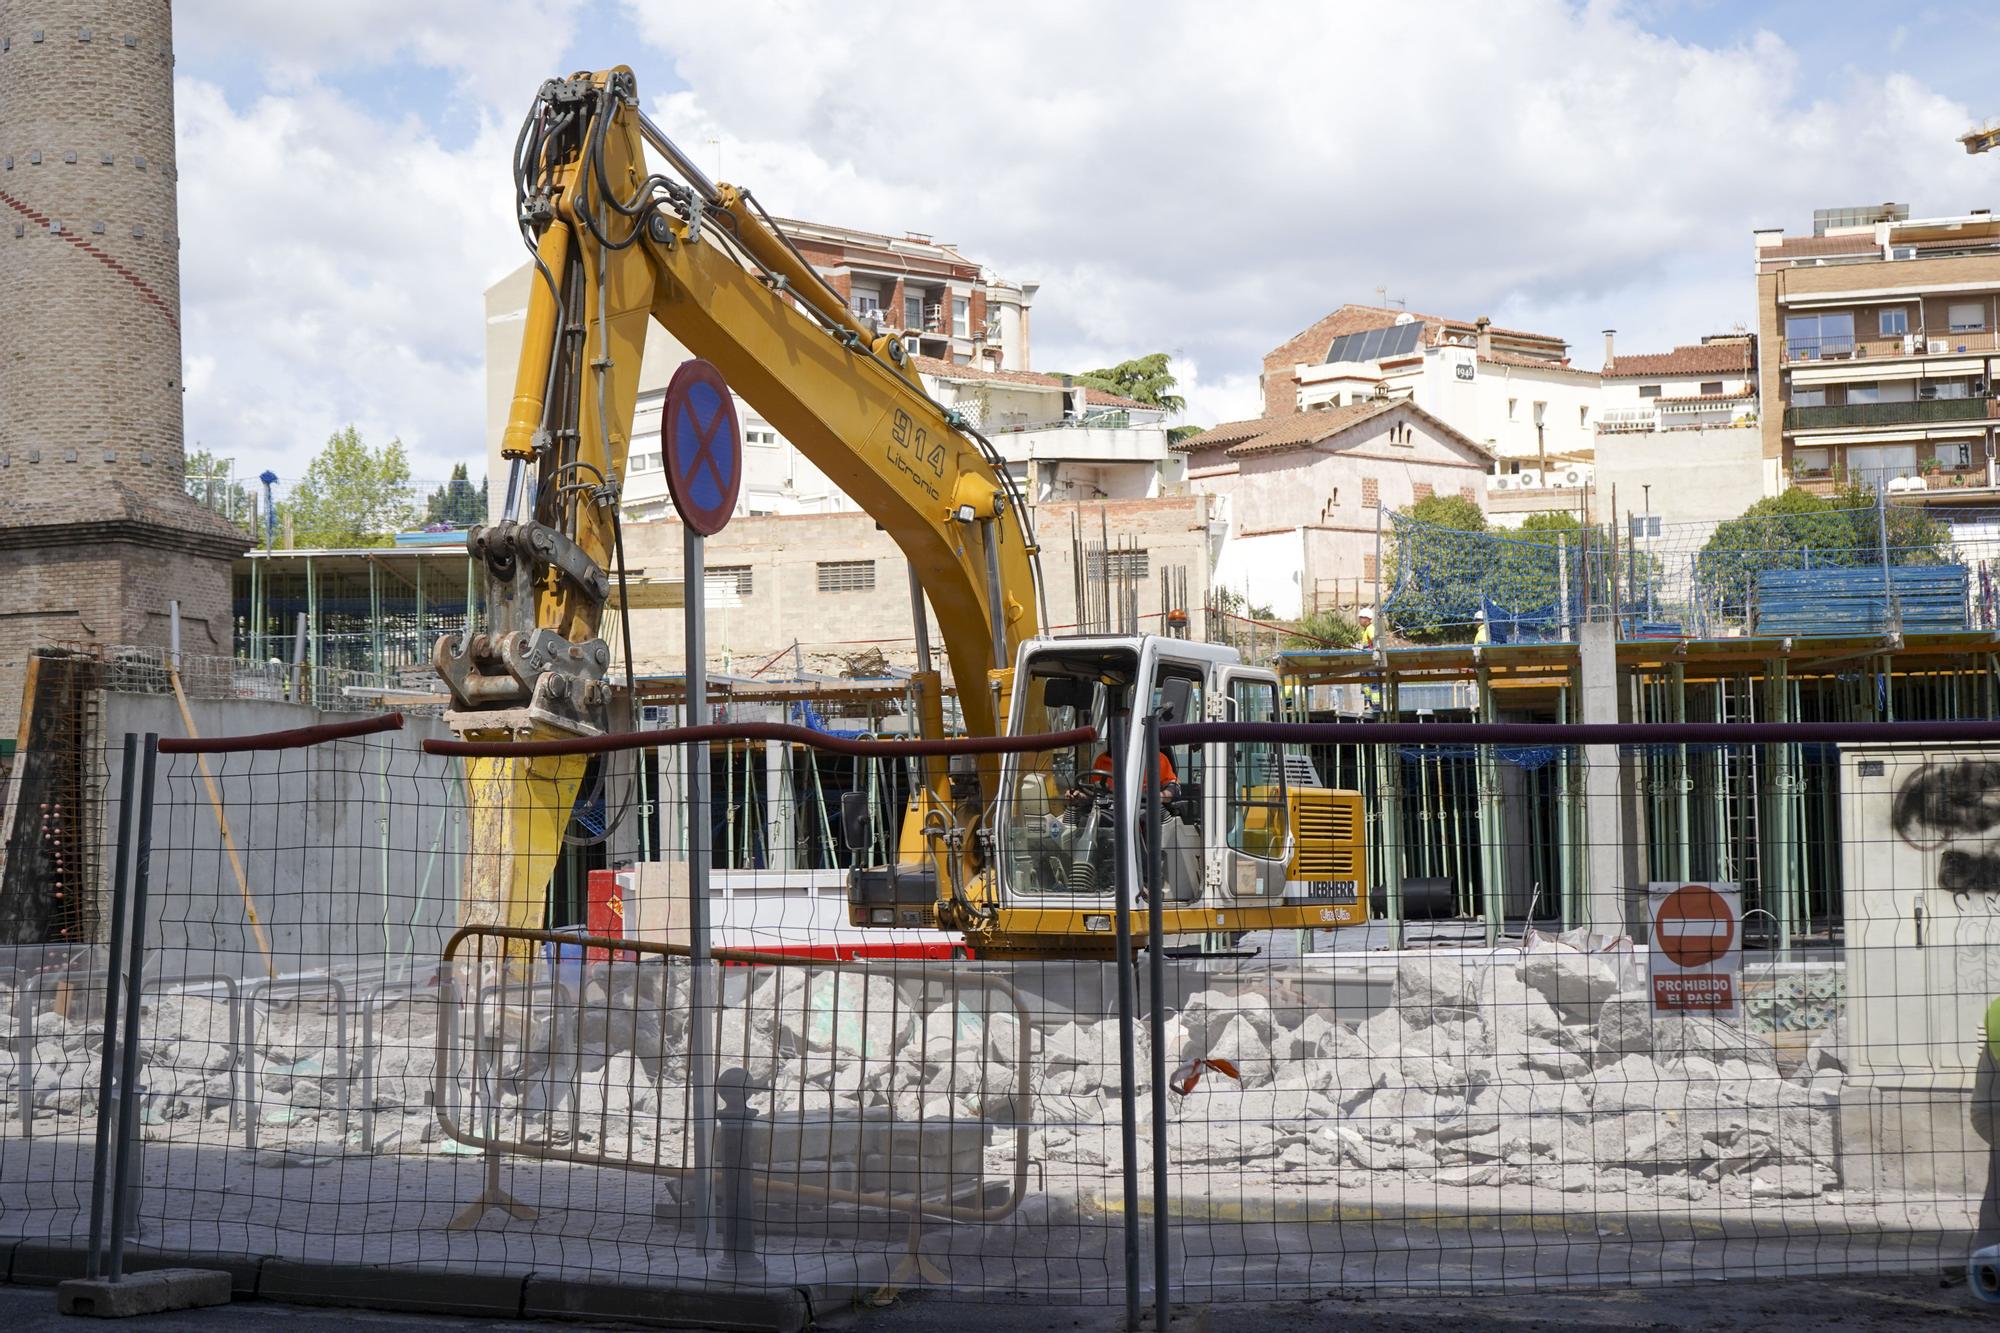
(1883, 341)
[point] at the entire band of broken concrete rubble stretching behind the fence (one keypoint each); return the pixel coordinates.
(1545, 1068)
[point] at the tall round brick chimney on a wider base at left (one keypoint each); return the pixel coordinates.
(97, 533)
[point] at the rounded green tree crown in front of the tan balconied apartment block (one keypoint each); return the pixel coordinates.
(1799, 529)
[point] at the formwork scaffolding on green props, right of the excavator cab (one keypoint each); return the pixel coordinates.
(1497, 840)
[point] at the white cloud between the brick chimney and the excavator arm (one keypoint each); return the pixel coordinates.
(333, 271)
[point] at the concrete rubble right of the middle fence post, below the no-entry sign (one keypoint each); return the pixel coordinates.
(1537, 1070)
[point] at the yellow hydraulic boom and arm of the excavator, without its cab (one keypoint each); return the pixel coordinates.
(619, 245)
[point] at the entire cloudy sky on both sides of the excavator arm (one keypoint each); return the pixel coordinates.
(1177, 175)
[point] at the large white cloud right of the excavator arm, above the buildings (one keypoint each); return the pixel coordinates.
(1215, 179)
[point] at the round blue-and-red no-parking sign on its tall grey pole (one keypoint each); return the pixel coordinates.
(701, 447)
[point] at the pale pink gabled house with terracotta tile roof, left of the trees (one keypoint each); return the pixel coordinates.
(1301, 499)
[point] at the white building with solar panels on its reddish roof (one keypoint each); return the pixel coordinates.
(1513, 391)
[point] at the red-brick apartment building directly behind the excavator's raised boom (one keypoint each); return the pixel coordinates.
(939, 301)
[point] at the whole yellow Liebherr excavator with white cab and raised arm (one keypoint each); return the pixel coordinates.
(1015, 854)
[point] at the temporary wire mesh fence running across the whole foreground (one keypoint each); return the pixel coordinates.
(371, 1036)
